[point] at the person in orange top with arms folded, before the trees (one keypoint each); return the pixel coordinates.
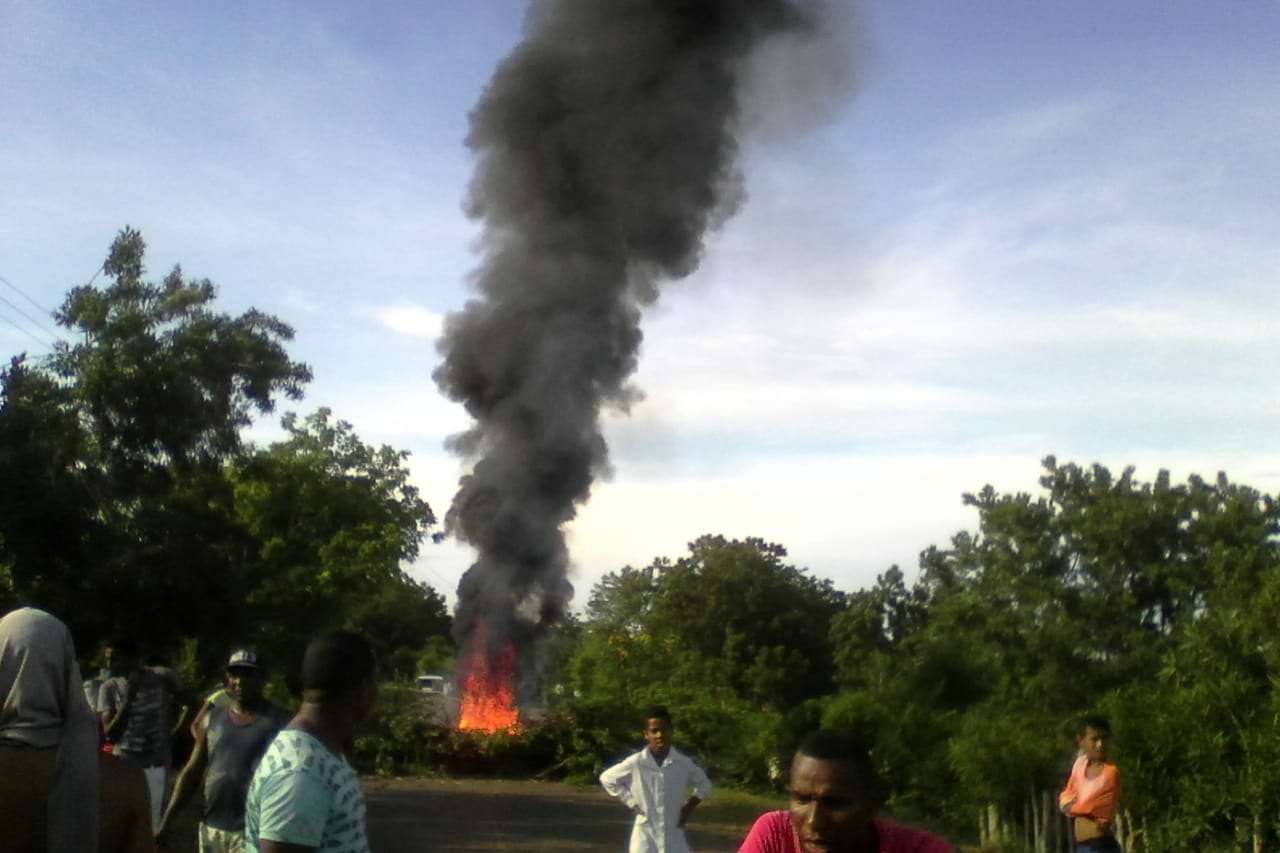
(1092, 793)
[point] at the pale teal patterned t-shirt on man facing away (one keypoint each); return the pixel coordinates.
(305, 795)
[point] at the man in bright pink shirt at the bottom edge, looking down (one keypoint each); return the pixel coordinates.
(835, 797)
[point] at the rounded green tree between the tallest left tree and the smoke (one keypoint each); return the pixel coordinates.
(333, 521)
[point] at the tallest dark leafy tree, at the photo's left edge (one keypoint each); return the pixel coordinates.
(120, 440)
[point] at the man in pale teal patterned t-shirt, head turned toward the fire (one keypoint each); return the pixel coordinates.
(305, 793)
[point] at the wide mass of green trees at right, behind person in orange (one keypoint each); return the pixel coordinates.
(1150, 601)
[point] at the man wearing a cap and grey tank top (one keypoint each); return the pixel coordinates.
(230, 742)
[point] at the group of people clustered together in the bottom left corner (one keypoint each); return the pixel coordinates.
(84, 763)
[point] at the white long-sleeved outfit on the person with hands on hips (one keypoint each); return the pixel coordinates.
(660, 793)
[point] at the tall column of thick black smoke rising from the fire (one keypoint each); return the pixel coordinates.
(606, 153)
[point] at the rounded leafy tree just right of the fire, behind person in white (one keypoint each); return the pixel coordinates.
(730, 636)
